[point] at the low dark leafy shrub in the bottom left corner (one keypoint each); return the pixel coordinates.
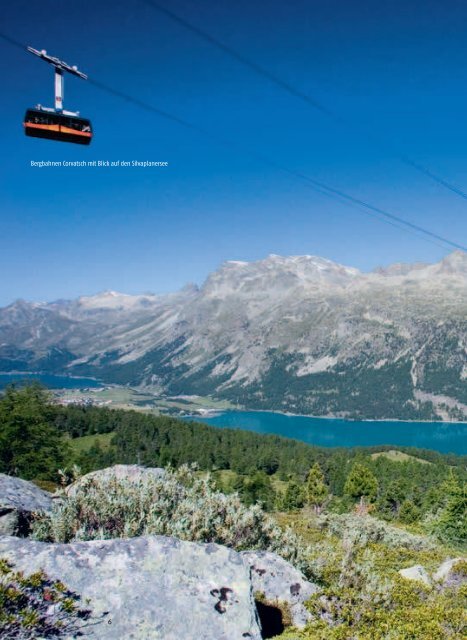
(37, 607)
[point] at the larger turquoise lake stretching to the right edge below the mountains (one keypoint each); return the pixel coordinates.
(441, 436)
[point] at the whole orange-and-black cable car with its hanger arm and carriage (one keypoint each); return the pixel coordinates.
(57, 124)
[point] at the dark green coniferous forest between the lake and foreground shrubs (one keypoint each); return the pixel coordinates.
(38, 437)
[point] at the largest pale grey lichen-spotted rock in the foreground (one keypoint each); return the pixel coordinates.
(153, 587)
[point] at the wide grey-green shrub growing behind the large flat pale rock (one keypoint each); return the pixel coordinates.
(179, 504)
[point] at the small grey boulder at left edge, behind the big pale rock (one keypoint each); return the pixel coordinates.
(19, 500)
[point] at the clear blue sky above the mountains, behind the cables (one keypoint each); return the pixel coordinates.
(395, 69)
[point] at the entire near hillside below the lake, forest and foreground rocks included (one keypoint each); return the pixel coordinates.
(261, 537)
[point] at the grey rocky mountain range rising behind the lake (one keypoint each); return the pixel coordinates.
(300, 334)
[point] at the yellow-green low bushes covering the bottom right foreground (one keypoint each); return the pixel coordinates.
(363, 596)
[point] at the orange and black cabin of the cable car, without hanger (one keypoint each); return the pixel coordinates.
(57, 126)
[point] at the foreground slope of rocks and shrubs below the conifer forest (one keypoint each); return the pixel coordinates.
(124, 551)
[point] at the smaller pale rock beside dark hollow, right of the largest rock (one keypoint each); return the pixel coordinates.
(278, 581)
